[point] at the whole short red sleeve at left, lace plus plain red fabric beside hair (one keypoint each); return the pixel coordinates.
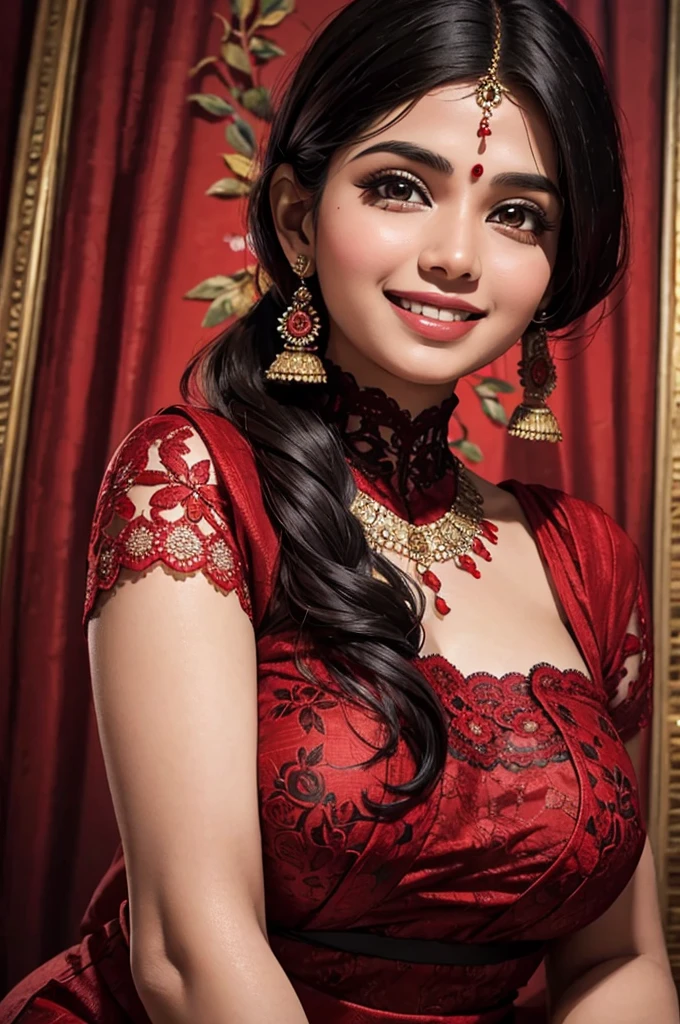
(180, 491)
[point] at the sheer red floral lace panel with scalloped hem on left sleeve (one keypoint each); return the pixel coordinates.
(160, 503)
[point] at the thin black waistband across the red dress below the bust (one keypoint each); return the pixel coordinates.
(414, 951)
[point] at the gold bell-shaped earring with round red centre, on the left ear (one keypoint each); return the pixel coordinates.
(301, 327)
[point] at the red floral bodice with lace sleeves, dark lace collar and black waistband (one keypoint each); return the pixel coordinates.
(535, 827)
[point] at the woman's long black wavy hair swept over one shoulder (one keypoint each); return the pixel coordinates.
(372, 58)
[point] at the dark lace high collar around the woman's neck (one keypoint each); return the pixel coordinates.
(406, 456)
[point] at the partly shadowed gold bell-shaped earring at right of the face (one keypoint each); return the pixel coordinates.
(533, 420)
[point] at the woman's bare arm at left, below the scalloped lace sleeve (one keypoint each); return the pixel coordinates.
(176, 691)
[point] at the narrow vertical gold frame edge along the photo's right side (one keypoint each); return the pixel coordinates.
(665, 764)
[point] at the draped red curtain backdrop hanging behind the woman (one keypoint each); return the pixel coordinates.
(138, 233)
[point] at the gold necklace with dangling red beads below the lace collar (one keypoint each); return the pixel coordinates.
(453, 536)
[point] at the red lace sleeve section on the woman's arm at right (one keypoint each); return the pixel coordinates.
(630, 685)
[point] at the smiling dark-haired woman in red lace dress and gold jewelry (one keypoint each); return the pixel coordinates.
(371, 722)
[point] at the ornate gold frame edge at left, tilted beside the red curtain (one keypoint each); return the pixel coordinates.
(38, 174)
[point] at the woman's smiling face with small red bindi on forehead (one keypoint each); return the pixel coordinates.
(390, 224)
